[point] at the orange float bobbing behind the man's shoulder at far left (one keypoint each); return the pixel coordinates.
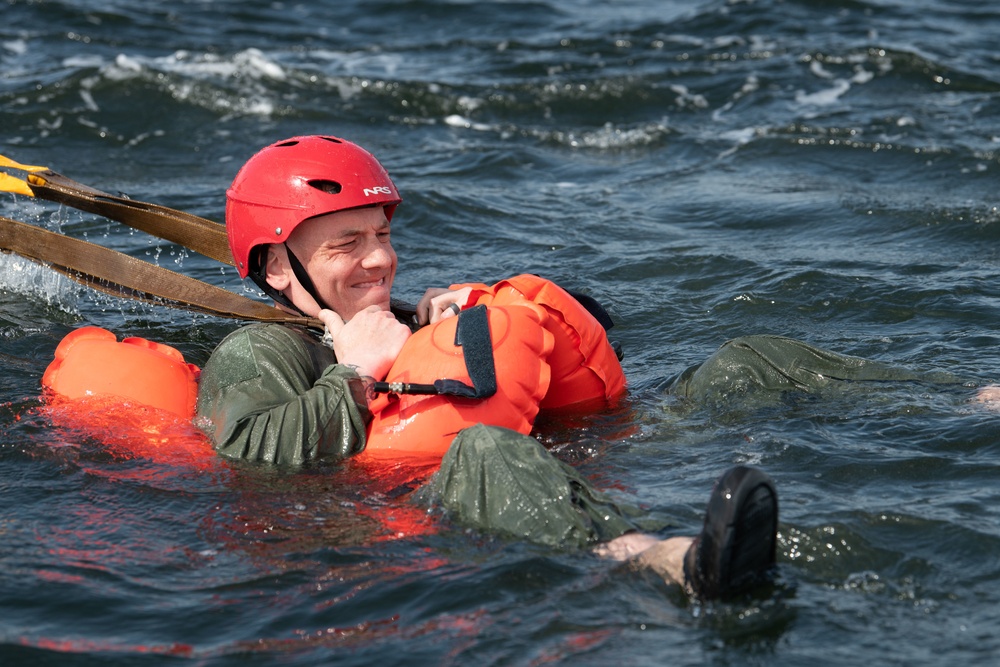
(136, 396)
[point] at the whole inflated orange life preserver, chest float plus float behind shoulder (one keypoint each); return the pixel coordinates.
(548, 353)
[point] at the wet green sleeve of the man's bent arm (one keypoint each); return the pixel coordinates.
(273, 393)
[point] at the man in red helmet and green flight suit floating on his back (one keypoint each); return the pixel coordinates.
(308, 220)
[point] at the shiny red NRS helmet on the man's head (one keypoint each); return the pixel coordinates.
(298, 179)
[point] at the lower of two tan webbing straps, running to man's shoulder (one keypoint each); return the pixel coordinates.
(103, 269)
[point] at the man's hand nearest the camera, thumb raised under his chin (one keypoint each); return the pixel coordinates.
(370, 341)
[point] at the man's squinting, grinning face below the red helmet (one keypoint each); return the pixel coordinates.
(347, 255)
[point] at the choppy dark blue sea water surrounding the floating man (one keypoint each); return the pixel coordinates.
(825, 170)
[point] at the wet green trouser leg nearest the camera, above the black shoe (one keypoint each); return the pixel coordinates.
(501, 481)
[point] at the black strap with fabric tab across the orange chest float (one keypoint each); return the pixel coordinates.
(472, 334)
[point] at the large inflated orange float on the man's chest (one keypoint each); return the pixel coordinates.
(548, 350)
